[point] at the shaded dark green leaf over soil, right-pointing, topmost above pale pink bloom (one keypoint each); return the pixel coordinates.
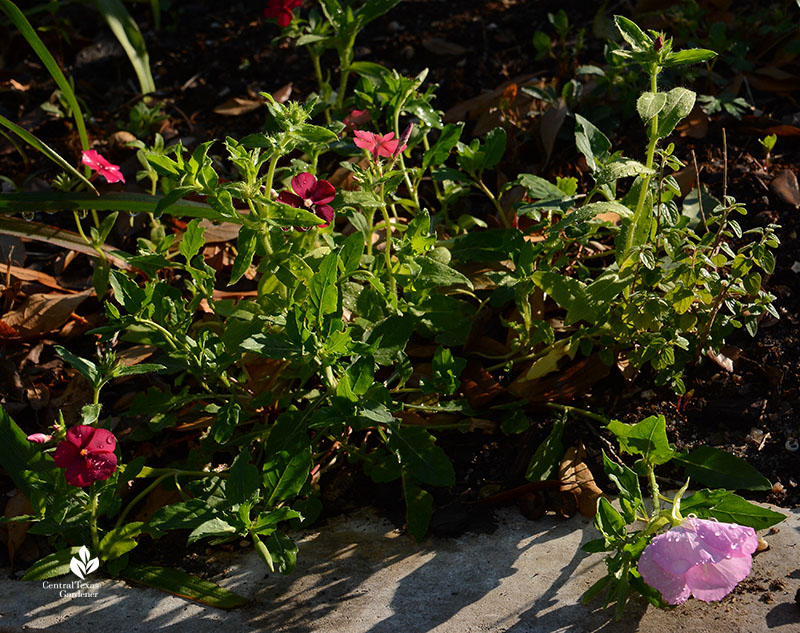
(720, 469)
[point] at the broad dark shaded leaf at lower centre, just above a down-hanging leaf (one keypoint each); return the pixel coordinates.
(421, 457)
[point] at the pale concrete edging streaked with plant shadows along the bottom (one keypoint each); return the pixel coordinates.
(360, 575)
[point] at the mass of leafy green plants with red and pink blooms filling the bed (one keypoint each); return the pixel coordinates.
(358, 280)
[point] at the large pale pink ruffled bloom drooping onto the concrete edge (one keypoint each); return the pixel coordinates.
(699, 558)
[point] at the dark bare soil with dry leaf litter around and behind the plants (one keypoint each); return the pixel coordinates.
(208, 52)
